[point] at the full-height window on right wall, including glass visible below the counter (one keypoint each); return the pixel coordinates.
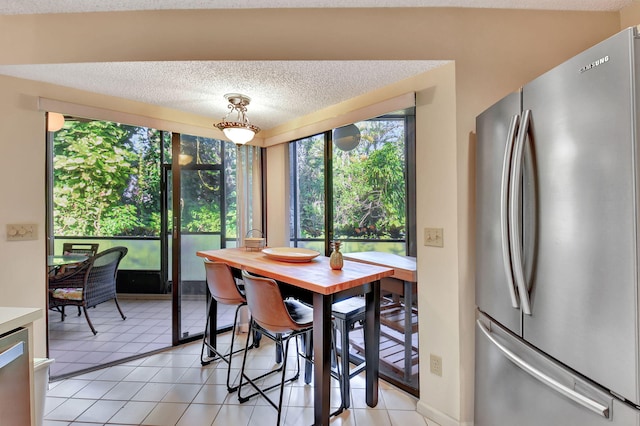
(364, 196)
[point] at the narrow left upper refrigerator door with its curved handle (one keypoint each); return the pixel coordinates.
(495, 289)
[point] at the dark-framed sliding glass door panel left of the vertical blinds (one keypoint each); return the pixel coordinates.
(196, 219)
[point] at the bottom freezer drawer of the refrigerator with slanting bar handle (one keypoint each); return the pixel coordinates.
(508, 393)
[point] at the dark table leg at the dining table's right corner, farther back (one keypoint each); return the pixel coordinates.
(372, 343)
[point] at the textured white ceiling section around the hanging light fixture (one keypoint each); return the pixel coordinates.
(280, 91)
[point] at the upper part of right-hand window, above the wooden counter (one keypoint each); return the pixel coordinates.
(359, 196)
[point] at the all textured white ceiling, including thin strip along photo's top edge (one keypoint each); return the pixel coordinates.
(280, 90)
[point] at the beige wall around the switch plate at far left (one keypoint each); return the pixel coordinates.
(22, 200)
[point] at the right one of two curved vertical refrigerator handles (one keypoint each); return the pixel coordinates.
(514, 196)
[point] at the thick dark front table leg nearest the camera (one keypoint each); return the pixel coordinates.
(321, 358)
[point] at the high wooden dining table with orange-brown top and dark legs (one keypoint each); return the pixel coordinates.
(325, 286)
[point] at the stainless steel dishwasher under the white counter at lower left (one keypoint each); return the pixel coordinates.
(15, 395)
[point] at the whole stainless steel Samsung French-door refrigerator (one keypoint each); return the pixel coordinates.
(557, 254)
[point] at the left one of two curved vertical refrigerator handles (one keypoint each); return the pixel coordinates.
(504, 209)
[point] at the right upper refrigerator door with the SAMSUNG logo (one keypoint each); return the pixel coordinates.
(583, 289)
